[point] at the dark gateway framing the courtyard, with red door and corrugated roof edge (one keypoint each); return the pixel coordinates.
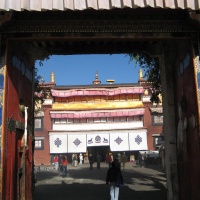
(167, 30)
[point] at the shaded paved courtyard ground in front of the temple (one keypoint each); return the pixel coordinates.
(82, 184)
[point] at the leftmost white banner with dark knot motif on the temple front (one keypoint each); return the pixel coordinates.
(58, 143)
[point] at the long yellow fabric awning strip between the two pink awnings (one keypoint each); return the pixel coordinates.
(97, 106)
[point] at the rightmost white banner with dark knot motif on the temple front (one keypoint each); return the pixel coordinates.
(138, 140)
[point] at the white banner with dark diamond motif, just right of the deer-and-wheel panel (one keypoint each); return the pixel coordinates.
(119, 142)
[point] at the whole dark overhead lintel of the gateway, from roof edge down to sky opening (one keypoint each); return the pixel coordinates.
(123, 31)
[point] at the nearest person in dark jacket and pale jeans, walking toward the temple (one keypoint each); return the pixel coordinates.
(114, 178)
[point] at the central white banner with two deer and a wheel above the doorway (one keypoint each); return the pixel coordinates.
(98, 140)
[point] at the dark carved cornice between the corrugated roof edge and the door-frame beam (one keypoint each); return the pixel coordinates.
(73, 25)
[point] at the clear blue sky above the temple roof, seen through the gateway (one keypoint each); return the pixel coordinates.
(81, 69)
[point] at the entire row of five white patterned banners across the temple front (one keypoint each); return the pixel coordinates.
(121, 140)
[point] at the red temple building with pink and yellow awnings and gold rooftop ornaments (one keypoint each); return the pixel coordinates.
(95, 118)
